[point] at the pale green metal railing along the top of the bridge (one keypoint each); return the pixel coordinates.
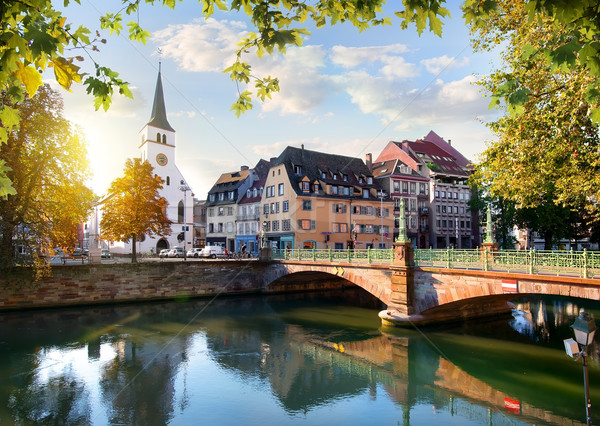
(583, 264)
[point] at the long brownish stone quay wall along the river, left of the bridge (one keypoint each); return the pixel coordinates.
(88, 284)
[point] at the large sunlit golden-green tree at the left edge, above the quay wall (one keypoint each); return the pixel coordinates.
(47, 163)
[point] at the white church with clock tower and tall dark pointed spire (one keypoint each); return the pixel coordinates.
(157, 146)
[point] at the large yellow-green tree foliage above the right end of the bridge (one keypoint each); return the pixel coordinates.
(548, 143)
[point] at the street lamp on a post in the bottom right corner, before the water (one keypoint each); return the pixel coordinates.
(584, 328)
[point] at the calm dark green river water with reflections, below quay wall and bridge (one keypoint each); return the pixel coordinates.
(289, 360)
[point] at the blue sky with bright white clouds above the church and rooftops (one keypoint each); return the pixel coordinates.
(342, 92)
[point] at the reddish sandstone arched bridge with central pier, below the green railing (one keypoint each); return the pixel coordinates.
(430, 294)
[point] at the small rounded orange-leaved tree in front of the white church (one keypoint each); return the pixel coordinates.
(133, 207)
